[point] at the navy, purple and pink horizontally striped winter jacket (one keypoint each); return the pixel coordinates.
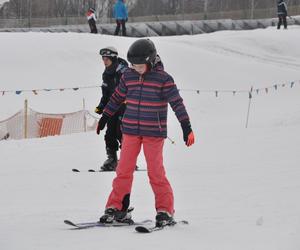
(147, 99)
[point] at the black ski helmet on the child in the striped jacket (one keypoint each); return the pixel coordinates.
(142, 51)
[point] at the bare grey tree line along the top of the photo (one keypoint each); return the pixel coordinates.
(63, 8)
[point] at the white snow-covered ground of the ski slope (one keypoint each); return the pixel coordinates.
(237, 187)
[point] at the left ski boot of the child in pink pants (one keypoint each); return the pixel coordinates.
(114, 215)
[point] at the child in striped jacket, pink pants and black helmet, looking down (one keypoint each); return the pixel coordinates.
(147, 90)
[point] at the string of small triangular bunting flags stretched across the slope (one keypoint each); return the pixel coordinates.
(216, 92)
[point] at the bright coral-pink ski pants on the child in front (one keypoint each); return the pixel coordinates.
(122, 183)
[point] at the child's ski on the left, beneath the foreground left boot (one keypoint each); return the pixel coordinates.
(86, 225)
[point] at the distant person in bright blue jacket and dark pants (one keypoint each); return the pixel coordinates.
(121, 15)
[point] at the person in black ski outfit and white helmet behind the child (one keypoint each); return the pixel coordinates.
(114, 67)
